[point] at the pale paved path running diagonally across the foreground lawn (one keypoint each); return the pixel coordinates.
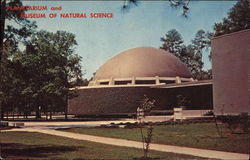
(128, 143)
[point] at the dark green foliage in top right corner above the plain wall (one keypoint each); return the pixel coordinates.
(238, 18)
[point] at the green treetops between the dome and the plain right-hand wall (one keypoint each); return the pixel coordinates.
(191, 54)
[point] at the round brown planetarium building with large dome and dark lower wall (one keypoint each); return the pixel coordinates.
(121, 83)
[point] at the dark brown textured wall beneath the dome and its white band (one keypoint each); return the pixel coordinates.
(117, 100)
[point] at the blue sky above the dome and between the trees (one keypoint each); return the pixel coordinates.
(100, 39)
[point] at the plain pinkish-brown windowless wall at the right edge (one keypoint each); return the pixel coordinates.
(231, 73)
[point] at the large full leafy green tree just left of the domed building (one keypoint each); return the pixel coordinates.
(49, 66)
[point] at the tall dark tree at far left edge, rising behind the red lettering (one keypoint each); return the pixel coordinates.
(11, 37)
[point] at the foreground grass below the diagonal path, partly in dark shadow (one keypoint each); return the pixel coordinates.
(27, 145)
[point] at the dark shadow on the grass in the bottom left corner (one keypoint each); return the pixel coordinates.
(18, 150)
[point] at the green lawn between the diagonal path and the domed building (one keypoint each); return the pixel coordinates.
(203, 135)
